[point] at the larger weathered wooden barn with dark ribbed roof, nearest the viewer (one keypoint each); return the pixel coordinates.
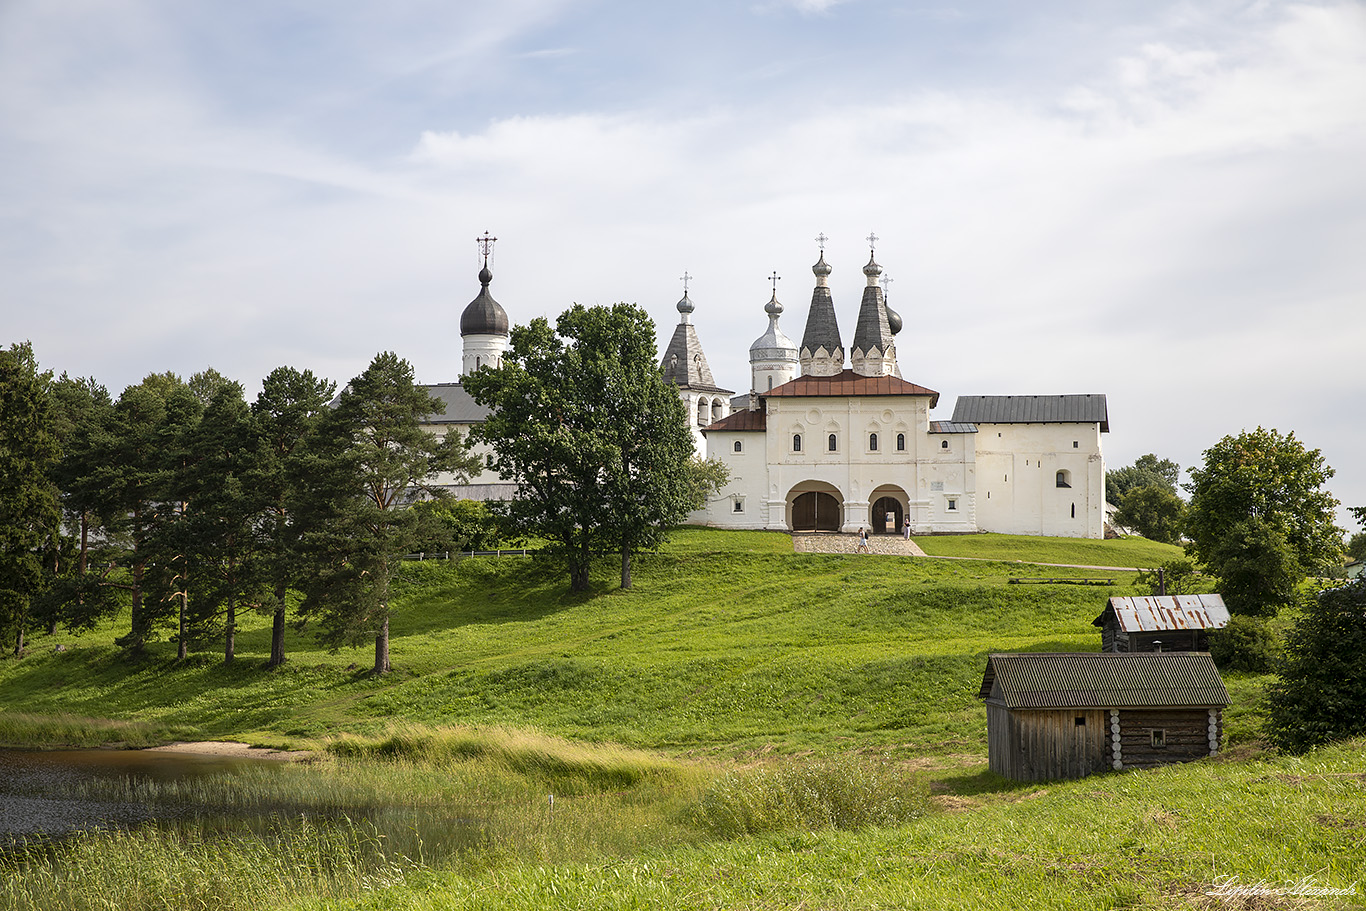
(1066, 716)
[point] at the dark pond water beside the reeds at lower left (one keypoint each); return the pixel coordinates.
(48, 794)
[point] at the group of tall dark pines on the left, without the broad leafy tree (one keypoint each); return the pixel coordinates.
(185, 505)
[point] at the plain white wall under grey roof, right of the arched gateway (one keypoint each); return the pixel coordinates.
(1018, 492)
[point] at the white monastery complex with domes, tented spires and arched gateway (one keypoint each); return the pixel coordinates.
(834, 440)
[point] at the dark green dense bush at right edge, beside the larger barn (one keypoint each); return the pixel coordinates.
(1322, 693)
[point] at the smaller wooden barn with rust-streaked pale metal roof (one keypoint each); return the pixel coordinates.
(1162, 623)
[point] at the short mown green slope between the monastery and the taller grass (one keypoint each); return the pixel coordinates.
(729, 645)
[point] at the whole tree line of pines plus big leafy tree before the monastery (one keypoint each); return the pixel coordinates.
(185, 505)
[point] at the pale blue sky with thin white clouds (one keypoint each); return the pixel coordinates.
(1160, 201)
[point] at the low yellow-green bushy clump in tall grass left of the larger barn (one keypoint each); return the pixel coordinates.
(842, 793)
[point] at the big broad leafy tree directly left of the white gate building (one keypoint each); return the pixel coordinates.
(596, 439)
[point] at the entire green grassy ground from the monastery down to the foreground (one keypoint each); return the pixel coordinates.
(805, 733)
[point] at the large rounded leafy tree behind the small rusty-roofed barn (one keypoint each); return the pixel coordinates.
(1260, 518)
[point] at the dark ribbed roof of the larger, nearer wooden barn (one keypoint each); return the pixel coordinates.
(1106, 681)
